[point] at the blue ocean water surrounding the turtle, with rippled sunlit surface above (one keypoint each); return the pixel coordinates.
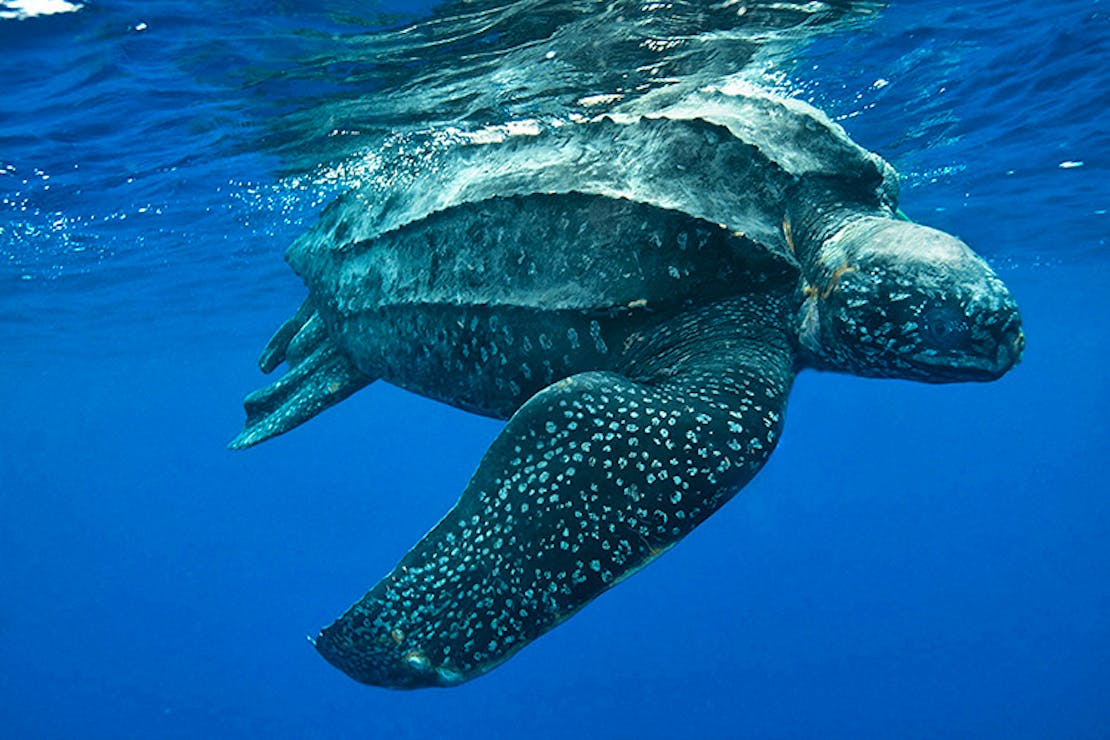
(914, 562)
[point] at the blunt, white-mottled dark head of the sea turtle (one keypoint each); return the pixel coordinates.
(894, 299)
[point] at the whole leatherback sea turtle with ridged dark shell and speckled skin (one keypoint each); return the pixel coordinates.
(635, 296)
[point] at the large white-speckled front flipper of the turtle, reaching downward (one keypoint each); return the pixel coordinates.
(592, 480)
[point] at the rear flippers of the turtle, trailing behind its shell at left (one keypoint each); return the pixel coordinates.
(320, 377)
